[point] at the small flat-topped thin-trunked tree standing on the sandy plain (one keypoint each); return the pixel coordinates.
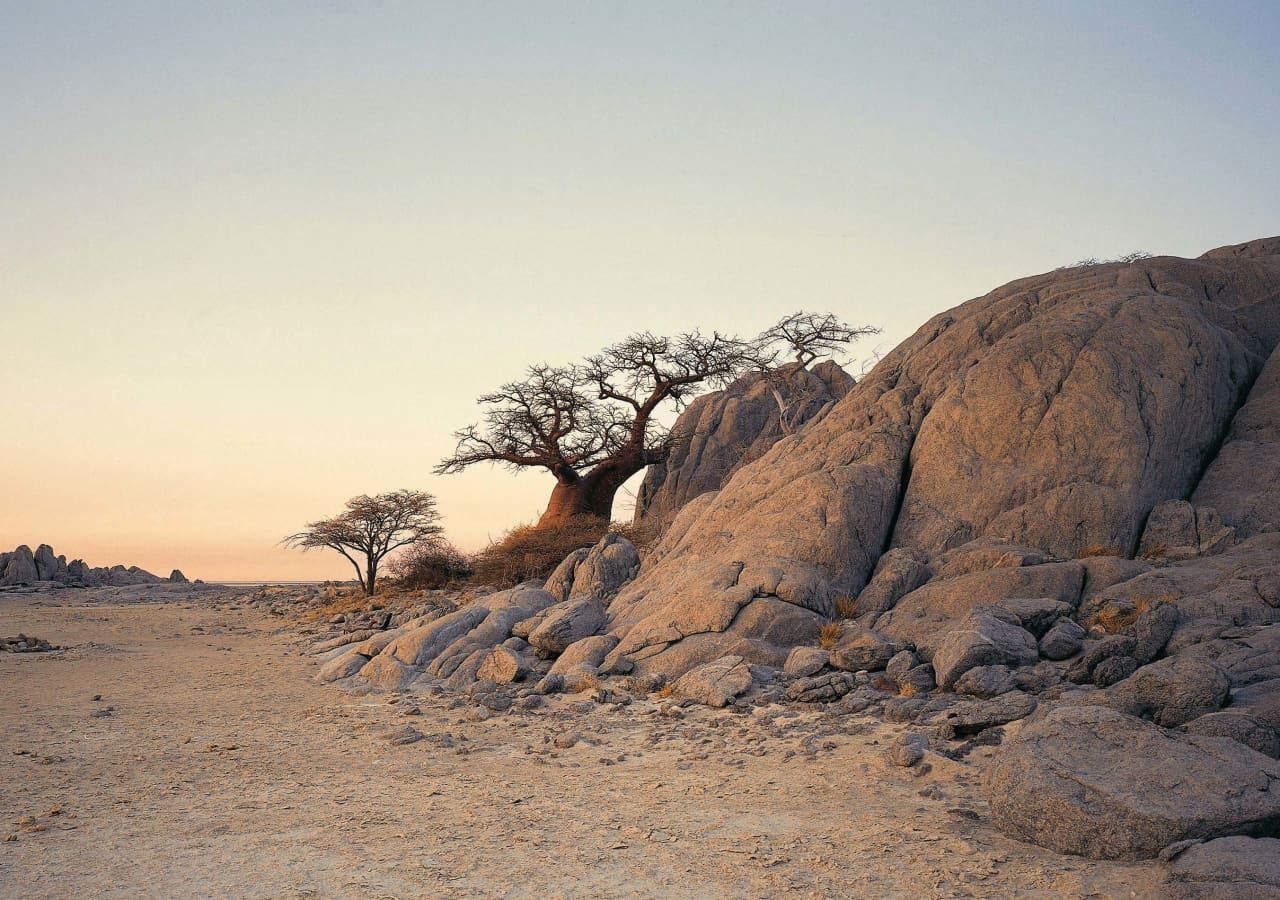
(372, 528)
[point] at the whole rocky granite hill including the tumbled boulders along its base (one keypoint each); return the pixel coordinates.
(1048, 517)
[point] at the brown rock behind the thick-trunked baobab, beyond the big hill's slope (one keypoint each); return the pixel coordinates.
(733, 427)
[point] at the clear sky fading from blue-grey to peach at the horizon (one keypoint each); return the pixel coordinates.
(259, 258)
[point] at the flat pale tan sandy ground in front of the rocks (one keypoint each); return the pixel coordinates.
(217, 767)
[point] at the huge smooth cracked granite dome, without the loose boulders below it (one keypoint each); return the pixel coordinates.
(1054, 414)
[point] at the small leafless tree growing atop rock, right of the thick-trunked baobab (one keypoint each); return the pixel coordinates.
(807, 336)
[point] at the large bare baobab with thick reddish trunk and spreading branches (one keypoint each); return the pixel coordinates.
(592, 426)
